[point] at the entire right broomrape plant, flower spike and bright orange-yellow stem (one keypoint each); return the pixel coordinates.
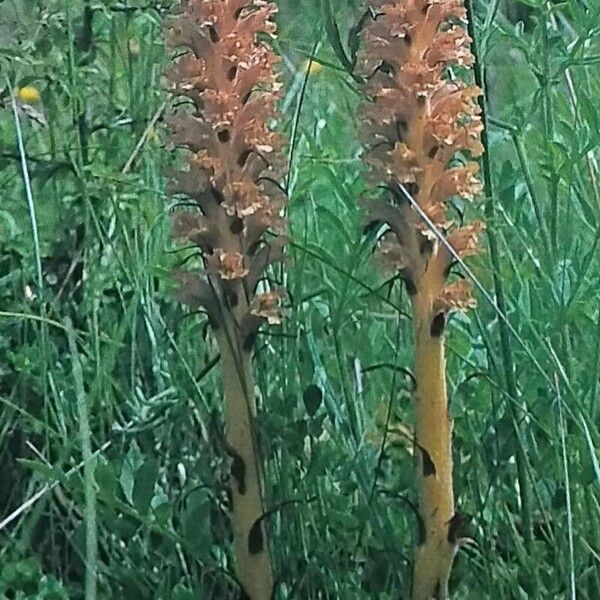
(421, 132)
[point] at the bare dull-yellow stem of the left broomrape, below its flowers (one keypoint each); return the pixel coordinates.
(251, 549)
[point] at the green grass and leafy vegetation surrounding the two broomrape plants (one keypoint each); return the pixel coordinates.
(96, 357)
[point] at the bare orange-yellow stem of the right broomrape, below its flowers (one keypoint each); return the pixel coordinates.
(435, 552)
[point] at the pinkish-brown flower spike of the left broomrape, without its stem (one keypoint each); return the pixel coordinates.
(227, 72)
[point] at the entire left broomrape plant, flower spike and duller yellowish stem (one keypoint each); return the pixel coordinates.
(233, 218)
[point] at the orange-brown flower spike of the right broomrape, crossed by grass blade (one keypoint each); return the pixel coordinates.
(422, 131)
